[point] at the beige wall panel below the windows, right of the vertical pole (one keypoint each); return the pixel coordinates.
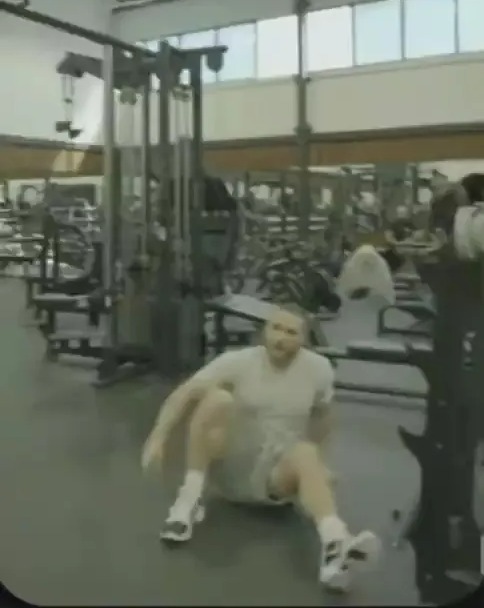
(427, 92)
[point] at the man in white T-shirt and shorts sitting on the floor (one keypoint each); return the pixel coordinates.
(259, 417)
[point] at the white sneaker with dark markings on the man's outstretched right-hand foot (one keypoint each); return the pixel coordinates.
(341, 555)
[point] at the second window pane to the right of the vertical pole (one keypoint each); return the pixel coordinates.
(378, 32)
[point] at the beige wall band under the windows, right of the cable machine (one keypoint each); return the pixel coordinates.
(408, 94)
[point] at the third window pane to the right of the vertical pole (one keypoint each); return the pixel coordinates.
(429, 27)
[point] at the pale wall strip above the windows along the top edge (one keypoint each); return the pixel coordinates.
(155, 21)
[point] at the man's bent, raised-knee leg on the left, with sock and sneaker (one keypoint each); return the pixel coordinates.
(207, 435)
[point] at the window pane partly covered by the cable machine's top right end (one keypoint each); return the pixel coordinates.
(239, 60)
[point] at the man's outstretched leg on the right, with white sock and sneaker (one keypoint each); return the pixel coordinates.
(302, 473)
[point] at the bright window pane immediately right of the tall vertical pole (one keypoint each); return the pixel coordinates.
(330, 43)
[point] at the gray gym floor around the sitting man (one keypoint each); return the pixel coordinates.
(79, 523)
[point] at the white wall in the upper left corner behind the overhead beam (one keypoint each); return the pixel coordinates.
(31, 90)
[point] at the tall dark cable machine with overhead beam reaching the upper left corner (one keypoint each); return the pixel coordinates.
(166, 262)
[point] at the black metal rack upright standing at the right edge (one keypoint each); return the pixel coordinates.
(443, 531)
